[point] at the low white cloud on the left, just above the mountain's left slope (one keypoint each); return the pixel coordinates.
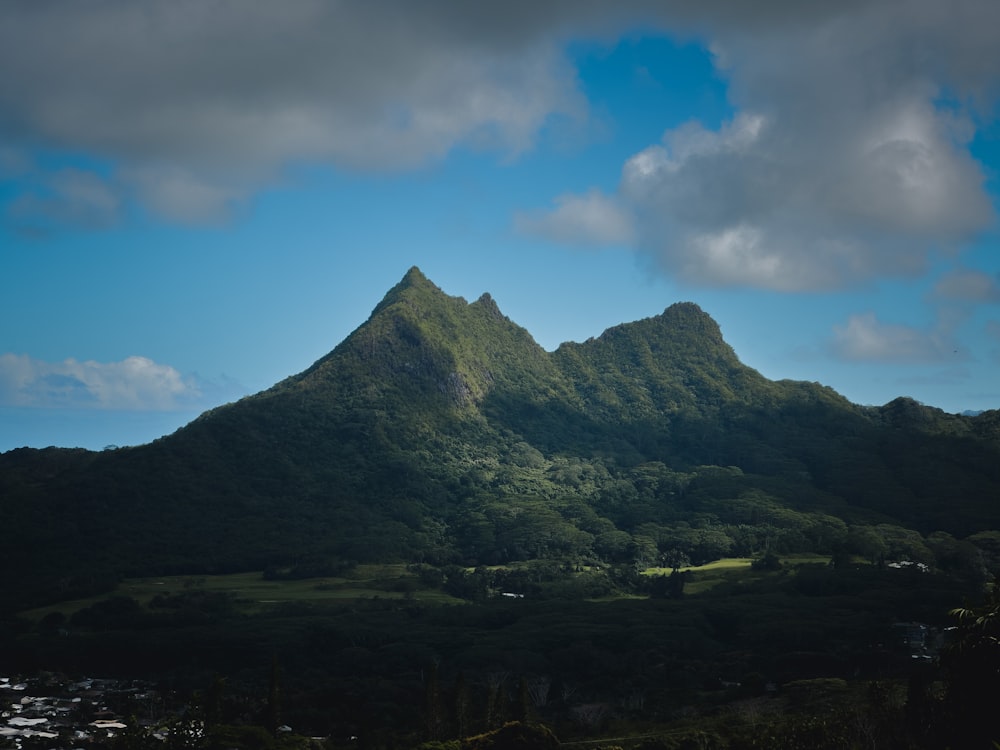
(135, 383)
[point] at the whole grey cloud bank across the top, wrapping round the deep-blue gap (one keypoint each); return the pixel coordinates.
(847, 157)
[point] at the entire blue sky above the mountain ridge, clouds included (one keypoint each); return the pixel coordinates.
(200, 199)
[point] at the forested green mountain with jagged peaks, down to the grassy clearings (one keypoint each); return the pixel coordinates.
(440, 432)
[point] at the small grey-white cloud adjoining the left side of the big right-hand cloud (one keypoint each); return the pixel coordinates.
(589, 219)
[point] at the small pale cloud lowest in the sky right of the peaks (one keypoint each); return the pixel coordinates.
(866, 339)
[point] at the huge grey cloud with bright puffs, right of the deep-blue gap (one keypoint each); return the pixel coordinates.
(847, 158)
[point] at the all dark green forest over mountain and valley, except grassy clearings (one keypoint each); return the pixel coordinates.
(550, 512)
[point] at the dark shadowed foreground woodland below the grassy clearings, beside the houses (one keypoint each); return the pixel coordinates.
(805, 657)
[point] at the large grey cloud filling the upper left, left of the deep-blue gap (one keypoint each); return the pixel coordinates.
(200, 103)
